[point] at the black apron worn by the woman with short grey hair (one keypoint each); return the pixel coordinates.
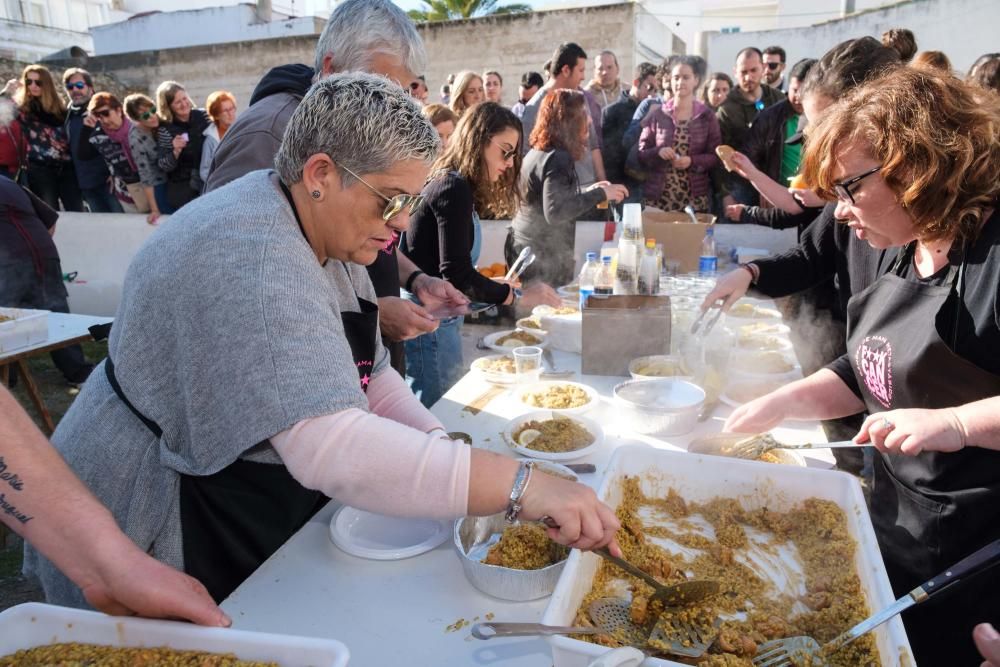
(232, 521)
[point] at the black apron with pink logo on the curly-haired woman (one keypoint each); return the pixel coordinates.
(931, 510)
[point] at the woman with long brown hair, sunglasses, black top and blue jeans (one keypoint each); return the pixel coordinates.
(479, 169)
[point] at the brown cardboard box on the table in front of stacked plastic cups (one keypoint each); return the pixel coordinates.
(617, 329)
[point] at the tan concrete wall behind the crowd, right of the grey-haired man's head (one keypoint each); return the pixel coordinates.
(516, 43)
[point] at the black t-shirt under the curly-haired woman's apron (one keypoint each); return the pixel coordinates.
(975, 324)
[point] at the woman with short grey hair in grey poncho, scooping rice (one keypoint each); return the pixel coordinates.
(246, 383)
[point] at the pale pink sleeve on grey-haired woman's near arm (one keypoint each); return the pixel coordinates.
(378, 465)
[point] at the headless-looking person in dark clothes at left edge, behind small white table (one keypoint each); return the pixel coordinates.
(30, 272)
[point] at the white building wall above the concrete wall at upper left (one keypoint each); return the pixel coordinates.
(215, 25)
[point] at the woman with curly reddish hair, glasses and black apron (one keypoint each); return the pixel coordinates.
(922, 339)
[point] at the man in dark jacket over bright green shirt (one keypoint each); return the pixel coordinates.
(774, 143)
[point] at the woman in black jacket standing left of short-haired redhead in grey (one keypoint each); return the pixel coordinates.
(181, 136)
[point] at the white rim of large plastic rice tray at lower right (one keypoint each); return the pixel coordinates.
(753, 483)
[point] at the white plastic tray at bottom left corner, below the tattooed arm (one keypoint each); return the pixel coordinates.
(34, 624)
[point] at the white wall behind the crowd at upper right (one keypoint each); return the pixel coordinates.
(963, 29)
